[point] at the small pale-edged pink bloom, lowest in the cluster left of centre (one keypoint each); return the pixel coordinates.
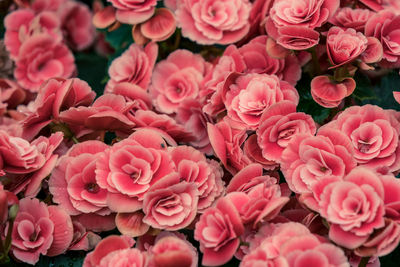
(170, 204)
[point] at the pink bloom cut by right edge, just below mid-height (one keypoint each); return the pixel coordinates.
(374, 135)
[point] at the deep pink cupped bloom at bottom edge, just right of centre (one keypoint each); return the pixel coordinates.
(218, 232)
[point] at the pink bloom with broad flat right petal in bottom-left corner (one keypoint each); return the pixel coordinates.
(40, 230)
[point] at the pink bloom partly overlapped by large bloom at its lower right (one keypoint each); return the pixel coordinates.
(309, 159)
